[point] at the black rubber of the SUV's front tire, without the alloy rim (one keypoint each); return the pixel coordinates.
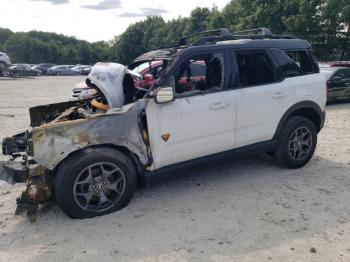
(70, 169)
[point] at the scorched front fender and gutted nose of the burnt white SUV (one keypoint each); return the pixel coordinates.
(60, 130)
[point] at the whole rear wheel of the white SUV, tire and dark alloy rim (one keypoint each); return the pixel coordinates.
(296, 142)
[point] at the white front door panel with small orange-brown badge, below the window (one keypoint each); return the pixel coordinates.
(198, 126)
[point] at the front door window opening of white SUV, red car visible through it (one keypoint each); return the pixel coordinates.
(198, 74)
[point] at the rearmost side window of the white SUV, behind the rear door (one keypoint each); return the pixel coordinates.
(294, 63)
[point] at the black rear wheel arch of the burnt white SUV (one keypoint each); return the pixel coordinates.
(307, 109)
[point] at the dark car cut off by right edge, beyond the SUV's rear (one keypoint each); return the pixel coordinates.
(338, 83)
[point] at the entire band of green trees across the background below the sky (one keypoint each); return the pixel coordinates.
(325, 23)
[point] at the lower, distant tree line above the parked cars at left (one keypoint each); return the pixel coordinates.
(39, 47)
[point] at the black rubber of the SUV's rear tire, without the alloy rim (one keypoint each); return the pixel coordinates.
(282, 151)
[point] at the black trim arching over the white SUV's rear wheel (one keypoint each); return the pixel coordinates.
(298, 106)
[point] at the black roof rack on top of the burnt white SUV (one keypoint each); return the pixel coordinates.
(225, 34)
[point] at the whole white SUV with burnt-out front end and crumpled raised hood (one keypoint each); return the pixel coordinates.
(89, 155)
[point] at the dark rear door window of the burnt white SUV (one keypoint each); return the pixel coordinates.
(254, 68)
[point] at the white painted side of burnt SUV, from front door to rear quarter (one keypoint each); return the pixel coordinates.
(206, 124)
